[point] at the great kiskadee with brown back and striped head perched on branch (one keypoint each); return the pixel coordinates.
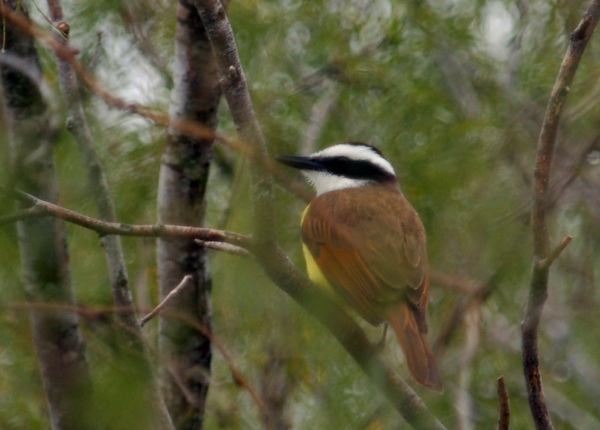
(363, 240)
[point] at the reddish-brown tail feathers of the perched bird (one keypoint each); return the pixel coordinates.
(419, 358)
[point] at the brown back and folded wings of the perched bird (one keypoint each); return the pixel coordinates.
(368, 268)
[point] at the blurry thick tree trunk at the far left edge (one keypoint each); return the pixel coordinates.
(42, 241)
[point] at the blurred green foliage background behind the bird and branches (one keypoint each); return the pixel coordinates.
(454, 93)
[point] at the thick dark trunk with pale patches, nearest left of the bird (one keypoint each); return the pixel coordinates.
(181, 200)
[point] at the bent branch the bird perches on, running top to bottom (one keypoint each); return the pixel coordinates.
(268, 252)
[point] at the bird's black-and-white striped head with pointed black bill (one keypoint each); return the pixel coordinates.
(344, 165)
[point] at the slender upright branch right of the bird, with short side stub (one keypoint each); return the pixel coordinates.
(541, 240)
